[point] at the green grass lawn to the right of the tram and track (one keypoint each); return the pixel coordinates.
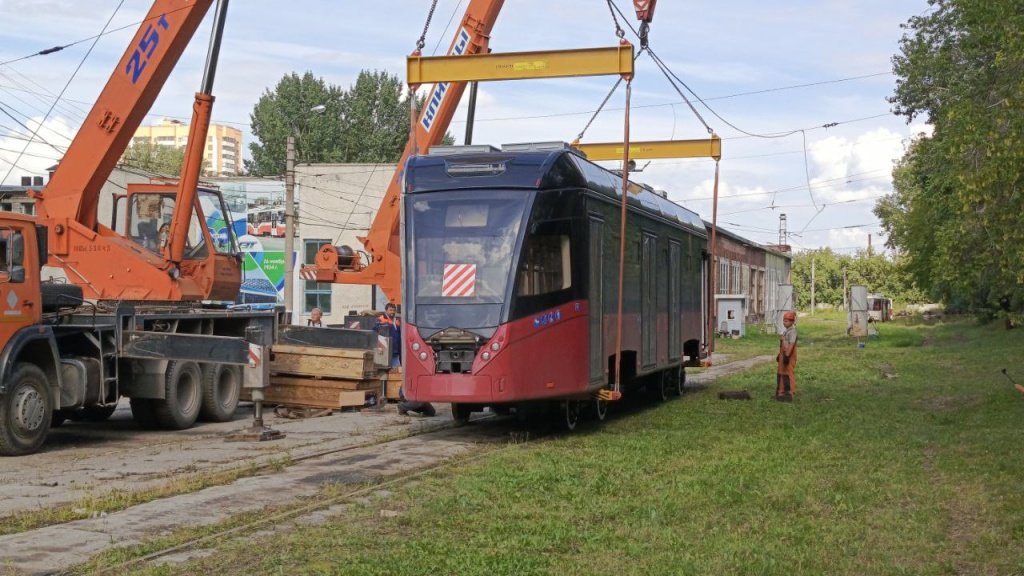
(902, 458)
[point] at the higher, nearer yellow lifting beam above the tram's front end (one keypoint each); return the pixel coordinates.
(519, 66)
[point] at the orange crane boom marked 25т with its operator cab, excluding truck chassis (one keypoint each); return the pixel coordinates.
(184, 262)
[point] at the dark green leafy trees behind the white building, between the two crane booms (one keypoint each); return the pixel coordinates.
(369, 122)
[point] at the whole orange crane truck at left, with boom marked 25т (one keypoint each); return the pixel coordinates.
(133, 319)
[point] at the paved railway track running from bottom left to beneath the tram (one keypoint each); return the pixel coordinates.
(368, 469)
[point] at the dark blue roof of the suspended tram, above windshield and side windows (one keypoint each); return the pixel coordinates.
(536, 171)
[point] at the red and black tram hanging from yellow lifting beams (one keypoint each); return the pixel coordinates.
(511, 280)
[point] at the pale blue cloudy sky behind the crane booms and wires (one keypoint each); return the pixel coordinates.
(743, 58)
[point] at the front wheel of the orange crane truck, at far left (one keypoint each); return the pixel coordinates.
(26, 412)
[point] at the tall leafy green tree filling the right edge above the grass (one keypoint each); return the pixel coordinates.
(955, 213)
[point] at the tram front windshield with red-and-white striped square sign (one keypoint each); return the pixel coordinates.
(461, 251)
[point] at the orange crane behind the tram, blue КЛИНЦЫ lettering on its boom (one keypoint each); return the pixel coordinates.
(381, 264)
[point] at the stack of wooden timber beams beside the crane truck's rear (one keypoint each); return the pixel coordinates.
(324, 368)
